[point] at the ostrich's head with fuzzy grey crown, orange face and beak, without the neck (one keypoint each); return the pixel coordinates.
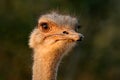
(55, 31)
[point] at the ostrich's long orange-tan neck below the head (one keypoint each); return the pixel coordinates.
(46, 64)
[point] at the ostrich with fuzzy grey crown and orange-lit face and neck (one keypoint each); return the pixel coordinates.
(54, 36)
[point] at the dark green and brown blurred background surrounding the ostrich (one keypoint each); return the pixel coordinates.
(96, 58)
